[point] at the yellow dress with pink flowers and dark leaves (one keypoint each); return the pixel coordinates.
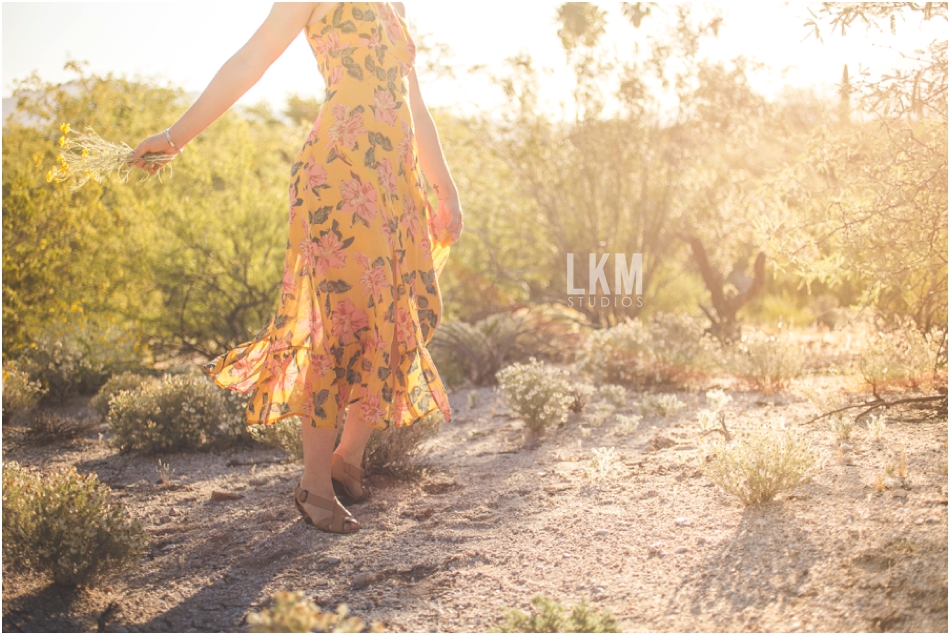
(360, 296)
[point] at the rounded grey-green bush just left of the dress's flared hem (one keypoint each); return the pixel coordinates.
(180, 412)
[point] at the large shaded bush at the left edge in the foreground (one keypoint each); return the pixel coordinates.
(66, 525)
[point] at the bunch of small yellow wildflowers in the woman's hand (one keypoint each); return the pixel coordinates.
(86, 156)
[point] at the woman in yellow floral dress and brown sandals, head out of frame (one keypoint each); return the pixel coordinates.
(360, 297)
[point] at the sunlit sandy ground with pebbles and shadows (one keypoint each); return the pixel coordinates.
(493, 521)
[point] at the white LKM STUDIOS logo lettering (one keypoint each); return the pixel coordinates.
(627, 287)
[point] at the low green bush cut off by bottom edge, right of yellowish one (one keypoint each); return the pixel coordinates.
(550, 616)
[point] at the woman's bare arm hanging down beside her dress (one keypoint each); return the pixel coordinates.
(431, 158)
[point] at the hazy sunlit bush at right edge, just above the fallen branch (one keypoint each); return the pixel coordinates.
(903, 357)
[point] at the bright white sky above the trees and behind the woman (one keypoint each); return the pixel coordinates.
(186, 43)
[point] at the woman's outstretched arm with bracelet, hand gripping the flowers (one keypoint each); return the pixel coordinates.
(243, 70)
